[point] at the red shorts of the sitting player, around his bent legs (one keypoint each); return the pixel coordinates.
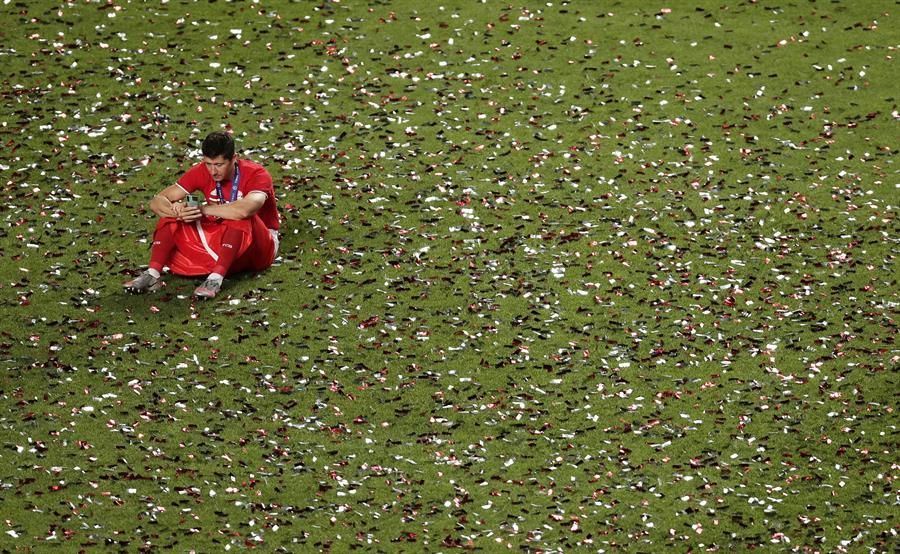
(197, 244)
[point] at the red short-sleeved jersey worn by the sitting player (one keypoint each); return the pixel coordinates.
(251, 177)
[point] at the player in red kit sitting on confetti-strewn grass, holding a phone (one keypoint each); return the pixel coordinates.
(235, 230)
